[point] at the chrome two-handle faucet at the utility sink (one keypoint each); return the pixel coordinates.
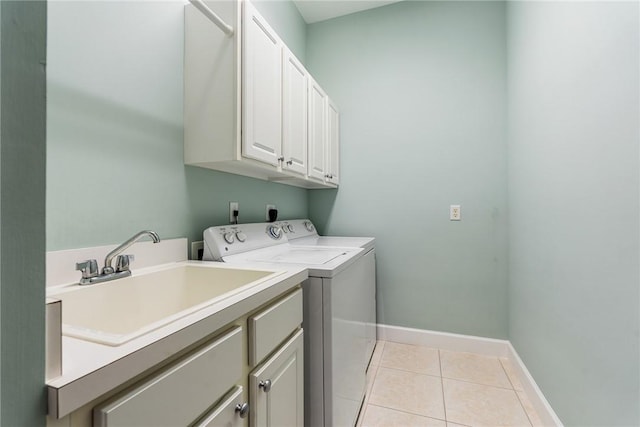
(89, 268)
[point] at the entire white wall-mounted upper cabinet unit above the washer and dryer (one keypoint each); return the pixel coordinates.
(250, 107)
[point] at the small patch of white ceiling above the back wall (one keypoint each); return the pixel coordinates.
(320, 10)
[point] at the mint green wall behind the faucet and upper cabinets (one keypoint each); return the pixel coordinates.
(114, 128)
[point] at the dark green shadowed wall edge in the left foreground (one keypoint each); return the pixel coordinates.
(22, 212)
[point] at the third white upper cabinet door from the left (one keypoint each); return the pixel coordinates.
(317, 130)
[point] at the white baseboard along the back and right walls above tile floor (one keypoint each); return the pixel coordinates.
(479, 345)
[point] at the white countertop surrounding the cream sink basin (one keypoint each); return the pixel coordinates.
(90, 370)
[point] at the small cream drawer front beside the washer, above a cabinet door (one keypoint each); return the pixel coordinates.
(269, 328)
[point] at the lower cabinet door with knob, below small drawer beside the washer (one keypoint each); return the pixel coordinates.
(276, 388)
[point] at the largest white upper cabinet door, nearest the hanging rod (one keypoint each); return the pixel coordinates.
(262, 89)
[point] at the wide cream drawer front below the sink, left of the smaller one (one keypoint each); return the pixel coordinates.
(181, 393)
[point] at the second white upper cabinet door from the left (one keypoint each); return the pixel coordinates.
(294, 114)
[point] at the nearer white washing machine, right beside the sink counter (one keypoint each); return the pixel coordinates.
(337, 320)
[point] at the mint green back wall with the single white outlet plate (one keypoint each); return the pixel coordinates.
(421, 91)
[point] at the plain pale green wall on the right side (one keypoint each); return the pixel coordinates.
(574, 205)
